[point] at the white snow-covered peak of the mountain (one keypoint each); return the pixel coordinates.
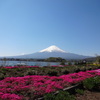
(53, 48)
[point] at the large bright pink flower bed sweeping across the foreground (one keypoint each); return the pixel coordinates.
(31, 87)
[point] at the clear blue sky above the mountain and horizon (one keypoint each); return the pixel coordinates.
(28, 26)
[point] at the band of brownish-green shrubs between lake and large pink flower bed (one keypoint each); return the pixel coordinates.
(50, 71)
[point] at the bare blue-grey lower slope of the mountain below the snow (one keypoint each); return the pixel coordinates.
(54, 54)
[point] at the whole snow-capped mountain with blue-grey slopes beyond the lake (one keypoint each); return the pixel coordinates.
(52, 51)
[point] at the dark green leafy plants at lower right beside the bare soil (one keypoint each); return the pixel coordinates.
(90, 84)
